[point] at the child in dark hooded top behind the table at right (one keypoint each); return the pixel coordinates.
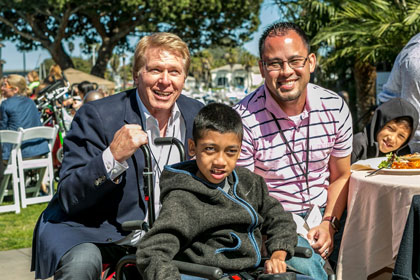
(392, 127)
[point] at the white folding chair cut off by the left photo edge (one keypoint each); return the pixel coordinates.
(10, 171)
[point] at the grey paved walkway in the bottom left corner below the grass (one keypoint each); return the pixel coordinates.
(15, 264)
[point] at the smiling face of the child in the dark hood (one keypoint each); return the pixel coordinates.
(392, 136)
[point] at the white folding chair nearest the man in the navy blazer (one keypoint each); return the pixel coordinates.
(31, 195)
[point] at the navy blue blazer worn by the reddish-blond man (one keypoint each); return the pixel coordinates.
(82, 211)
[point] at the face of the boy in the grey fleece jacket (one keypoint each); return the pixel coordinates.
(216, 154)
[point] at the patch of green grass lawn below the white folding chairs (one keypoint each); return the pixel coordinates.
(17, 229)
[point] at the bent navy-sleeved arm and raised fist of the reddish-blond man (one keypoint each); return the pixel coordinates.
(84, 182)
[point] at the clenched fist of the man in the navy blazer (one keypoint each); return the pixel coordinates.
(126, 141)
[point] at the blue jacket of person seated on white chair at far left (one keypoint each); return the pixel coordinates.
(20, 111)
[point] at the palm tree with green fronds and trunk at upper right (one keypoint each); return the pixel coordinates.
(369, 32)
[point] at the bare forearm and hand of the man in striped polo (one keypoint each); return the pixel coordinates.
(336, 203)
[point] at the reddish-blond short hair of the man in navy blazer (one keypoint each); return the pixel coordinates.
(163, 40)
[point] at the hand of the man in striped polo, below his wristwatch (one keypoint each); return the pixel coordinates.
(322, 237)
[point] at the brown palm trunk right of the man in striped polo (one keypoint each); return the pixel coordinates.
(365, 78)
